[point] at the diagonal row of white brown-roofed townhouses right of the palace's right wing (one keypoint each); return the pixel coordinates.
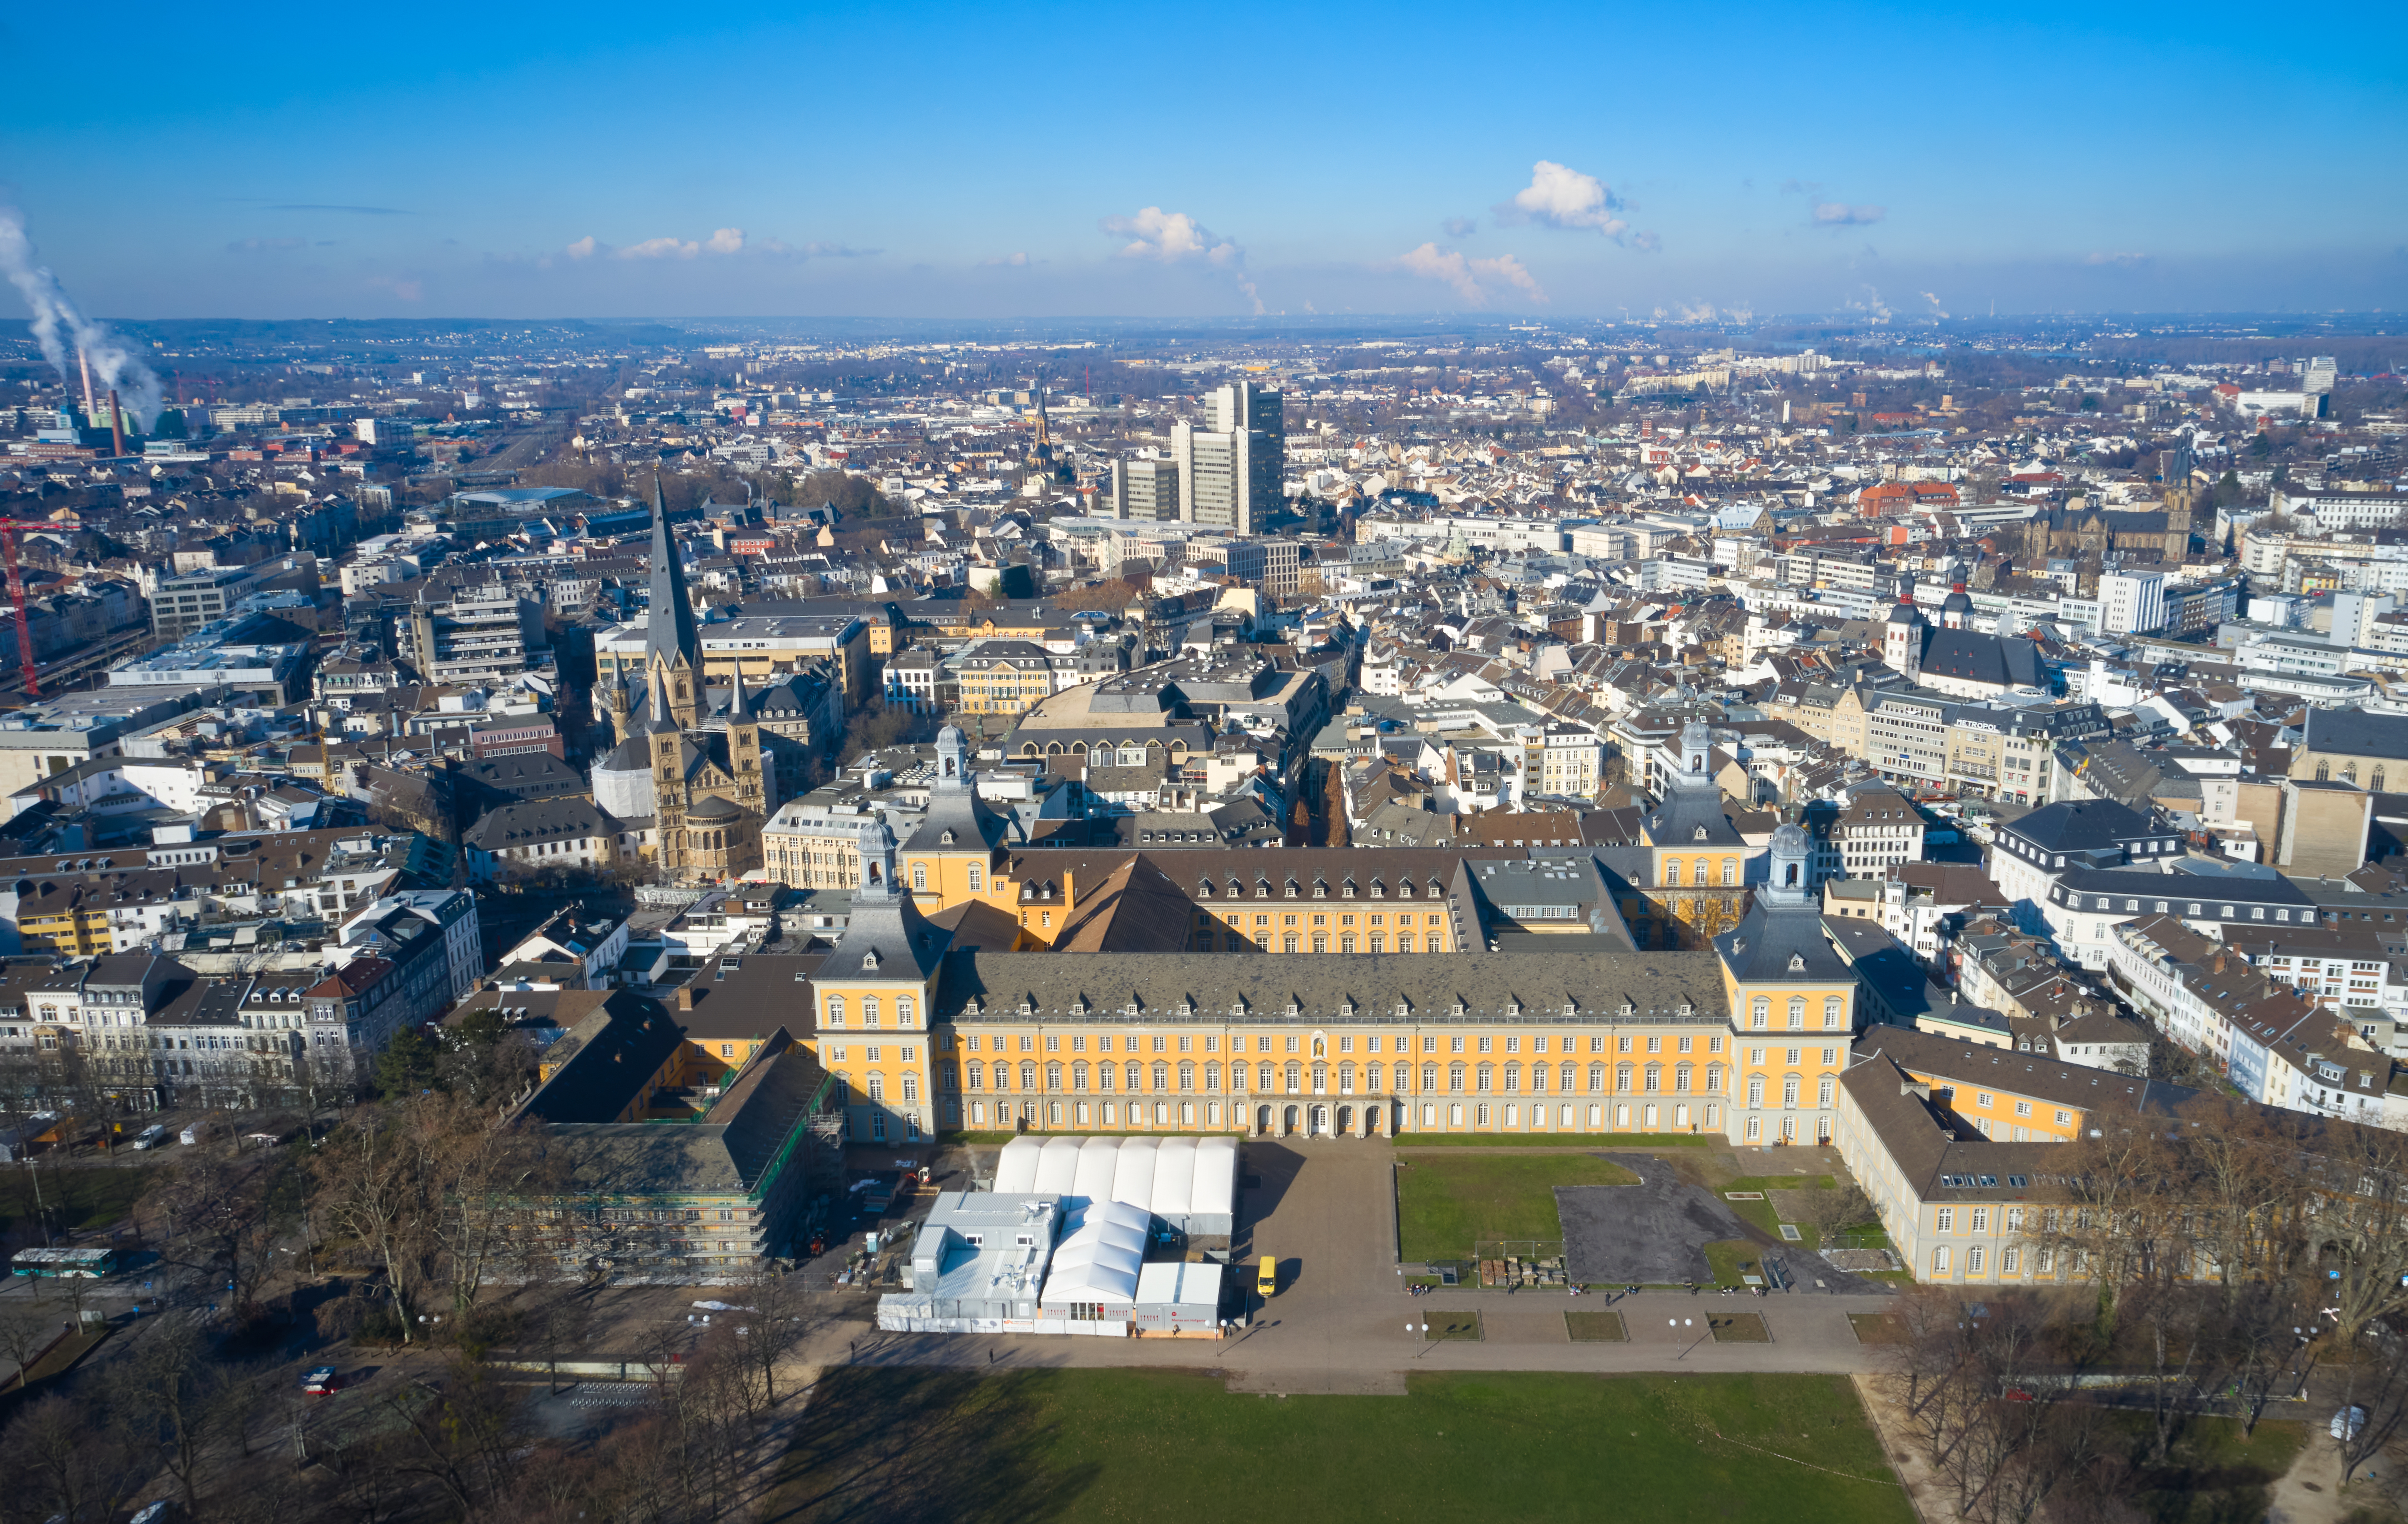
(2279, 1046)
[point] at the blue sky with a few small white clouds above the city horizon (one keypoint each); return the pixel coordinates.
(991, 163)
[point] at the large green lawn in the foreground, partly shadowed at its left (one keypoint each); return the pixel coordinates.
(1070, 1446)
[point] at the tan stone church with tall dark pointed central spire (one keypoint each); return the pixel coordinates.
(690, 757)
